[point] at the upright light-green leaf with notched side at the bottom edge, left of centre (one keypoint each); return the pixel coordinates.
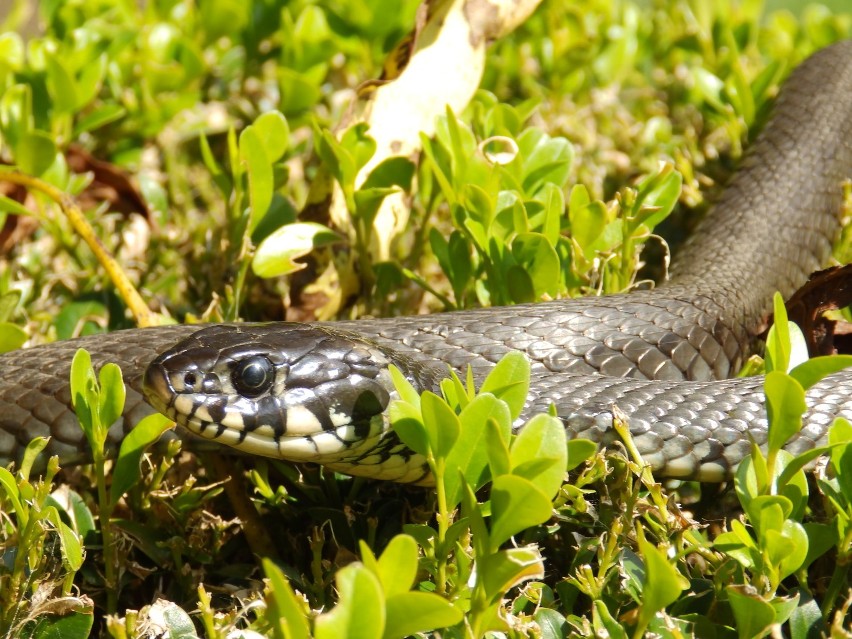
(360, 610)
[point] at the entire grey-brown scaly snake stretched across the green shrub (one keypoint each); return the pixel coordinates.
(665, 357)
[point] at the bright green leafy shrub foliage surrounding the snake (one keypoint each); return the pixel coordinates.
(594, 122)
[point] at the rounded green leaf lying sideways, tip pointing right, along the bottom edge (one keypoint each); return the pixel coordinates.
(409, 613)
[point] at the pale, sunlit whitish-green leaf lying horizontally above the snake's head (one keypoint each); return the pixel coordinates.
(277, 253)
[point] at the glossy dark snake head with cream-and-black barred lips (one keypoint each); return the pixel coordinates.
(291, 391)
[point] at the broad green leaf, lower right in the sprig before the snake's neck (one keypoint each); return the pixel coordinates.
(516, 504)
